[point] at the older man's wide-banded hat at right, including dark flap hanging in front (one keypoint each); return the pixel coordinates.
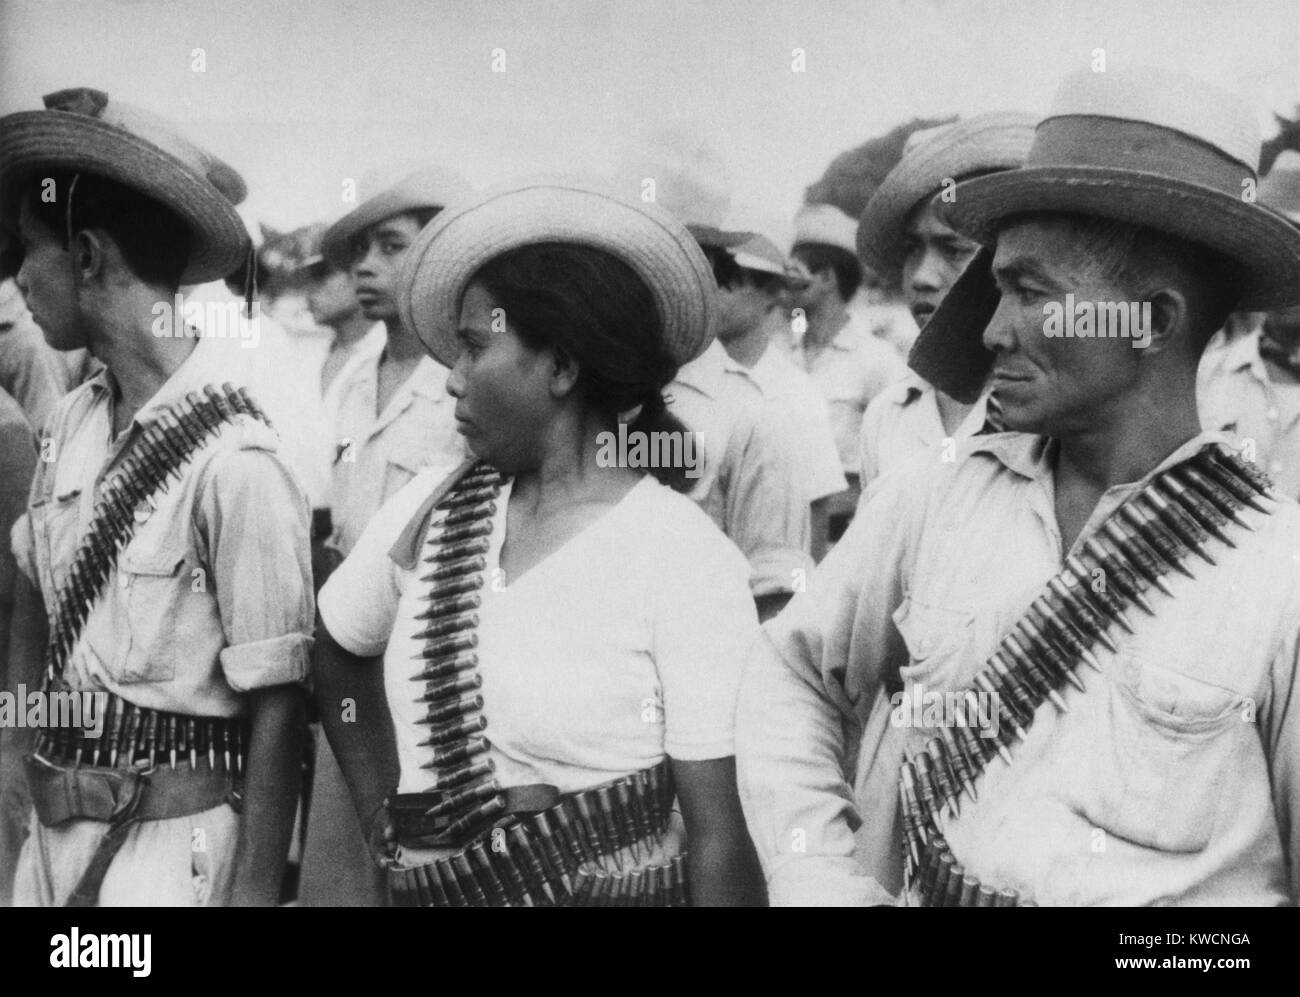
(1141, 146)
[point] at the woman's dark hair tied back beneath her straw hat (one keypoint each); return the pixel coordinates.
(593, 309)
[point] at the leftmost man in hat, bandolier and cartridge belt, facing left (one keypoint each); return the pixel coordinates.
(166, 534)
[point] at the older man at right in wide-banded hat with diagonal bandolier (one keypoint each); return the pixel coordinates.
(1168, 770)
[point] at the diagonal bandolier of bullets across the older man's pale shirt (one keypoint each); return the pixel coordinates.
(1154, 534)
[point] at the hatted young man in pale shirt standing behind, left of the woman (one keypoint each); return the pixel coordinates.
(393, 418)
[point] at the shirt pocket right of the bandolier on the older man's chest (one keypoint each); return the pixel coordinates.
(1169, 758)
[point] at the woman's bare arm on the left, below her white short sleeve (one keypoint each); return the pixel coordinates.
(356, 717)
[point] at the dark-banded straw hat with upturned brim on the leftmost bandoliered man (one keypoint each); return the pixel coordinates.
(85, 132)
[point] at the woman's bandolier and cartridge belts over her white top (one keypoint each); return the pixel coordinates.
(569, 855)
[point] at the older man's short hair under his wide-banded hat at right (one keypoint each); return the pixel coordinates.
(1126, 254)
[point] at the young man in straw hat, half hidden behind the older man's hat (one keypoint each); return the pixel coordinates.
(902, 236)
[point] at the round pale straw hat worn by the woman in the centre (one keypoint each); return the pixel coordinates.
(445, 258)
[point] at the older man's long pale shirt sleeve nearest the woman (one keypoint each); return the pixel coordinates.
(805, 697)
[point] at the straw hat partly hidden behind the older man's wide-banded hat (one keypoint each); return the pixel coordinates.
(948, 154)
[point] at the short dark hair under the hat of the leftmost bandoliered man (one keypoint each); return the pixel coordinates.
(154, 240)
